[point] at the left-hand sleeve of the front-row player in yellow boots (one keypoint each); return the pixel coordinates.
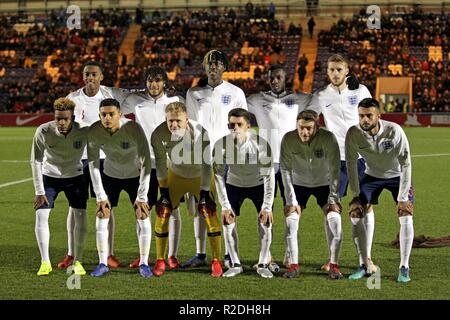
(37, 156)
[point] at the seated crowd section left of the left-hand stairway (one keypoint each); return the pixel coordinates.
(98, 39)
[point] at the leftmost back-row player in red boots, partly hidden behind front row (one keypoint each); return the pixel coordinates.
(87, 100)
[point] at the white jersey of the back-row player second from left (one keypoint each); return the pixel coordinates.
(149, 112)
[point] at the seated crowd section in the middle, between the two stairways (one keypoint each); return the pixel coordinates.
(177, 41)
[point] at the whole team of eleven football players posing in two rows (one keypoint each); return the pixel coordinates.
(158, 153)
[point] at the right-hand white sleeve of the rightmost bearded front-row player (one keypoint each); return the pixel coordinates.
(404, 158)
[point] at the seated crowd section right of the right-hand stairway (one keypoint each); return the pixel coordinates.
(402, 40)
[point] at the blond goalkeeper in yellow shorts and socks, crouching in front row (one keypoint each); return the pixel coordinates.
(186, 144)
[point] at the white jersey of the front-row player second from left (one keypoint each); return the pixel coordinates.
(127, 155)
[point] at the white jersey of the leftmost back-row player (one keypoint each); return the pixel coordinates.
(87, 108)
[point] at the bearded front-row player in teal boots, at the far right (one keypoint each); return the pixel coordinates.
(385, 148)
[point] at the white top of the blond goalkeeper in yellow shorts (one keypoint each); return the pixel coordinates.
(189, 156)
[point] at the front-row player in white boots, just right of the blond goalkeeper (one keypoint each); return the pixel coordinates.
(250, 175)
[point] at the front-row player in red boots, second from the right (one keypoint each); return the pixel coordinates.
(310, 166)
